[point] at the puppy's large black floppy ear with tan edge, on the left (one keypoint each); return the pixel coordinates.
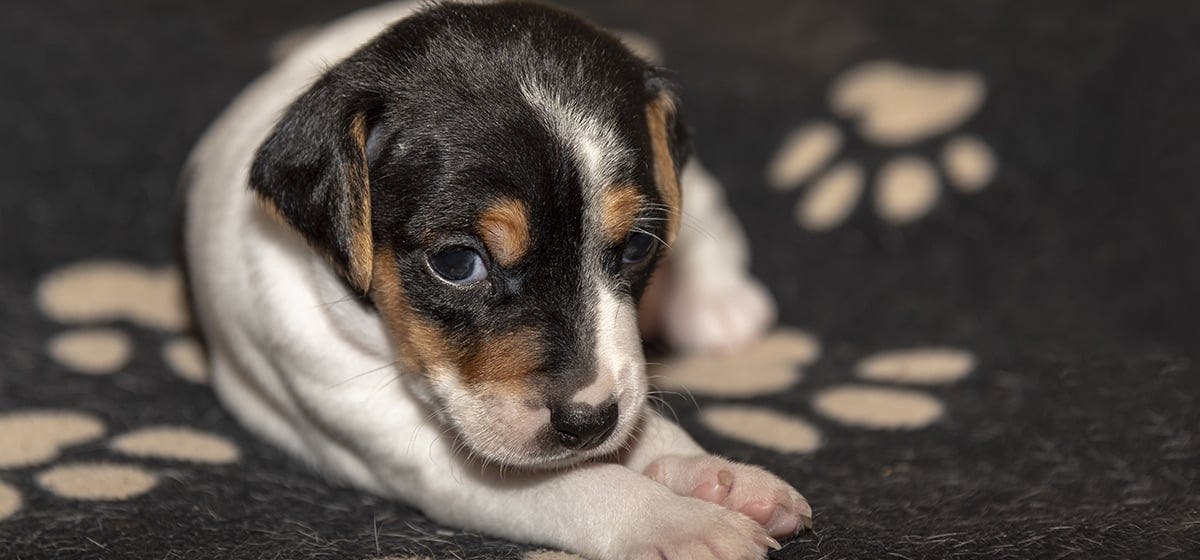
(313, 171)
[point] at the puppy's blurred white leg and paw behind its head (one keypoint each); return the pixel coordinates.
(707, 299)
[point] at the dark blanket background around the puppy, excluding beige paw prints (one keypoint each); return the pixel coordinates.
(1075, 278)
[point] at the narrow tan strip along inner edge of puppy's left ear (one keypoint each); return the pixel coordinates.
(359, 204)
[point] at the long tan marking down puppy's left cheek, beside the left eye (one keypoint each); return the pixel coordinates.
(421, 345)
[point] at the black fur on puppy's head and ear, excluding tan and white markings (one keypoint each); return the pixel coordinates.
(443, 92)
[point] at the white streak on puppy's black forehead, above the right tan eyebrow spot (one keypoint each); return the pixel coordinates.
(596, 147)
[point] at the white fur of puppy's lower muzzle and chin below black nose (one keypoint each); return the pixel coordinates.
(508, 432)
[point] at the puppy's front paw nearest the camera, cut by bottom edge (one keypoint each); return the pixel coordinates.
(688, 529)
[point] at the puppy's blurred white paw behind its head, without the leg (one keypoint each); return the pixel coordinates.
(707, 315)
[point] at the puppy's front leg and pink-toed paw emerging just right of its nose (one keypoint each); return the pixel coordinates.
(669, 456)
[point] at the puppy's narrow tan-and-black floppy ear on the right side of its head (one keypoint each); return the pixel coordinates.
(670, 146)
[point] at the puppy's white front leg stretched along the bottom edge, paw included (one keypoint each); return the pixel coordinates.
(603, 511)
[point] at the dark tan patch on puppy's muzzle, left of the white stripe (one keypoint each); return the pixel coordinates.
(506, 359)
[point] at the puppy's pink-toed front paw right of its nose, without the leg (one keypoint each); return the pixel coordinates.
(743, 489)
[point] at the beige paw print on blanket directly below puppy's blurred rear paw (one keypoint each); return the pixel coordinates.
(872, 401)
